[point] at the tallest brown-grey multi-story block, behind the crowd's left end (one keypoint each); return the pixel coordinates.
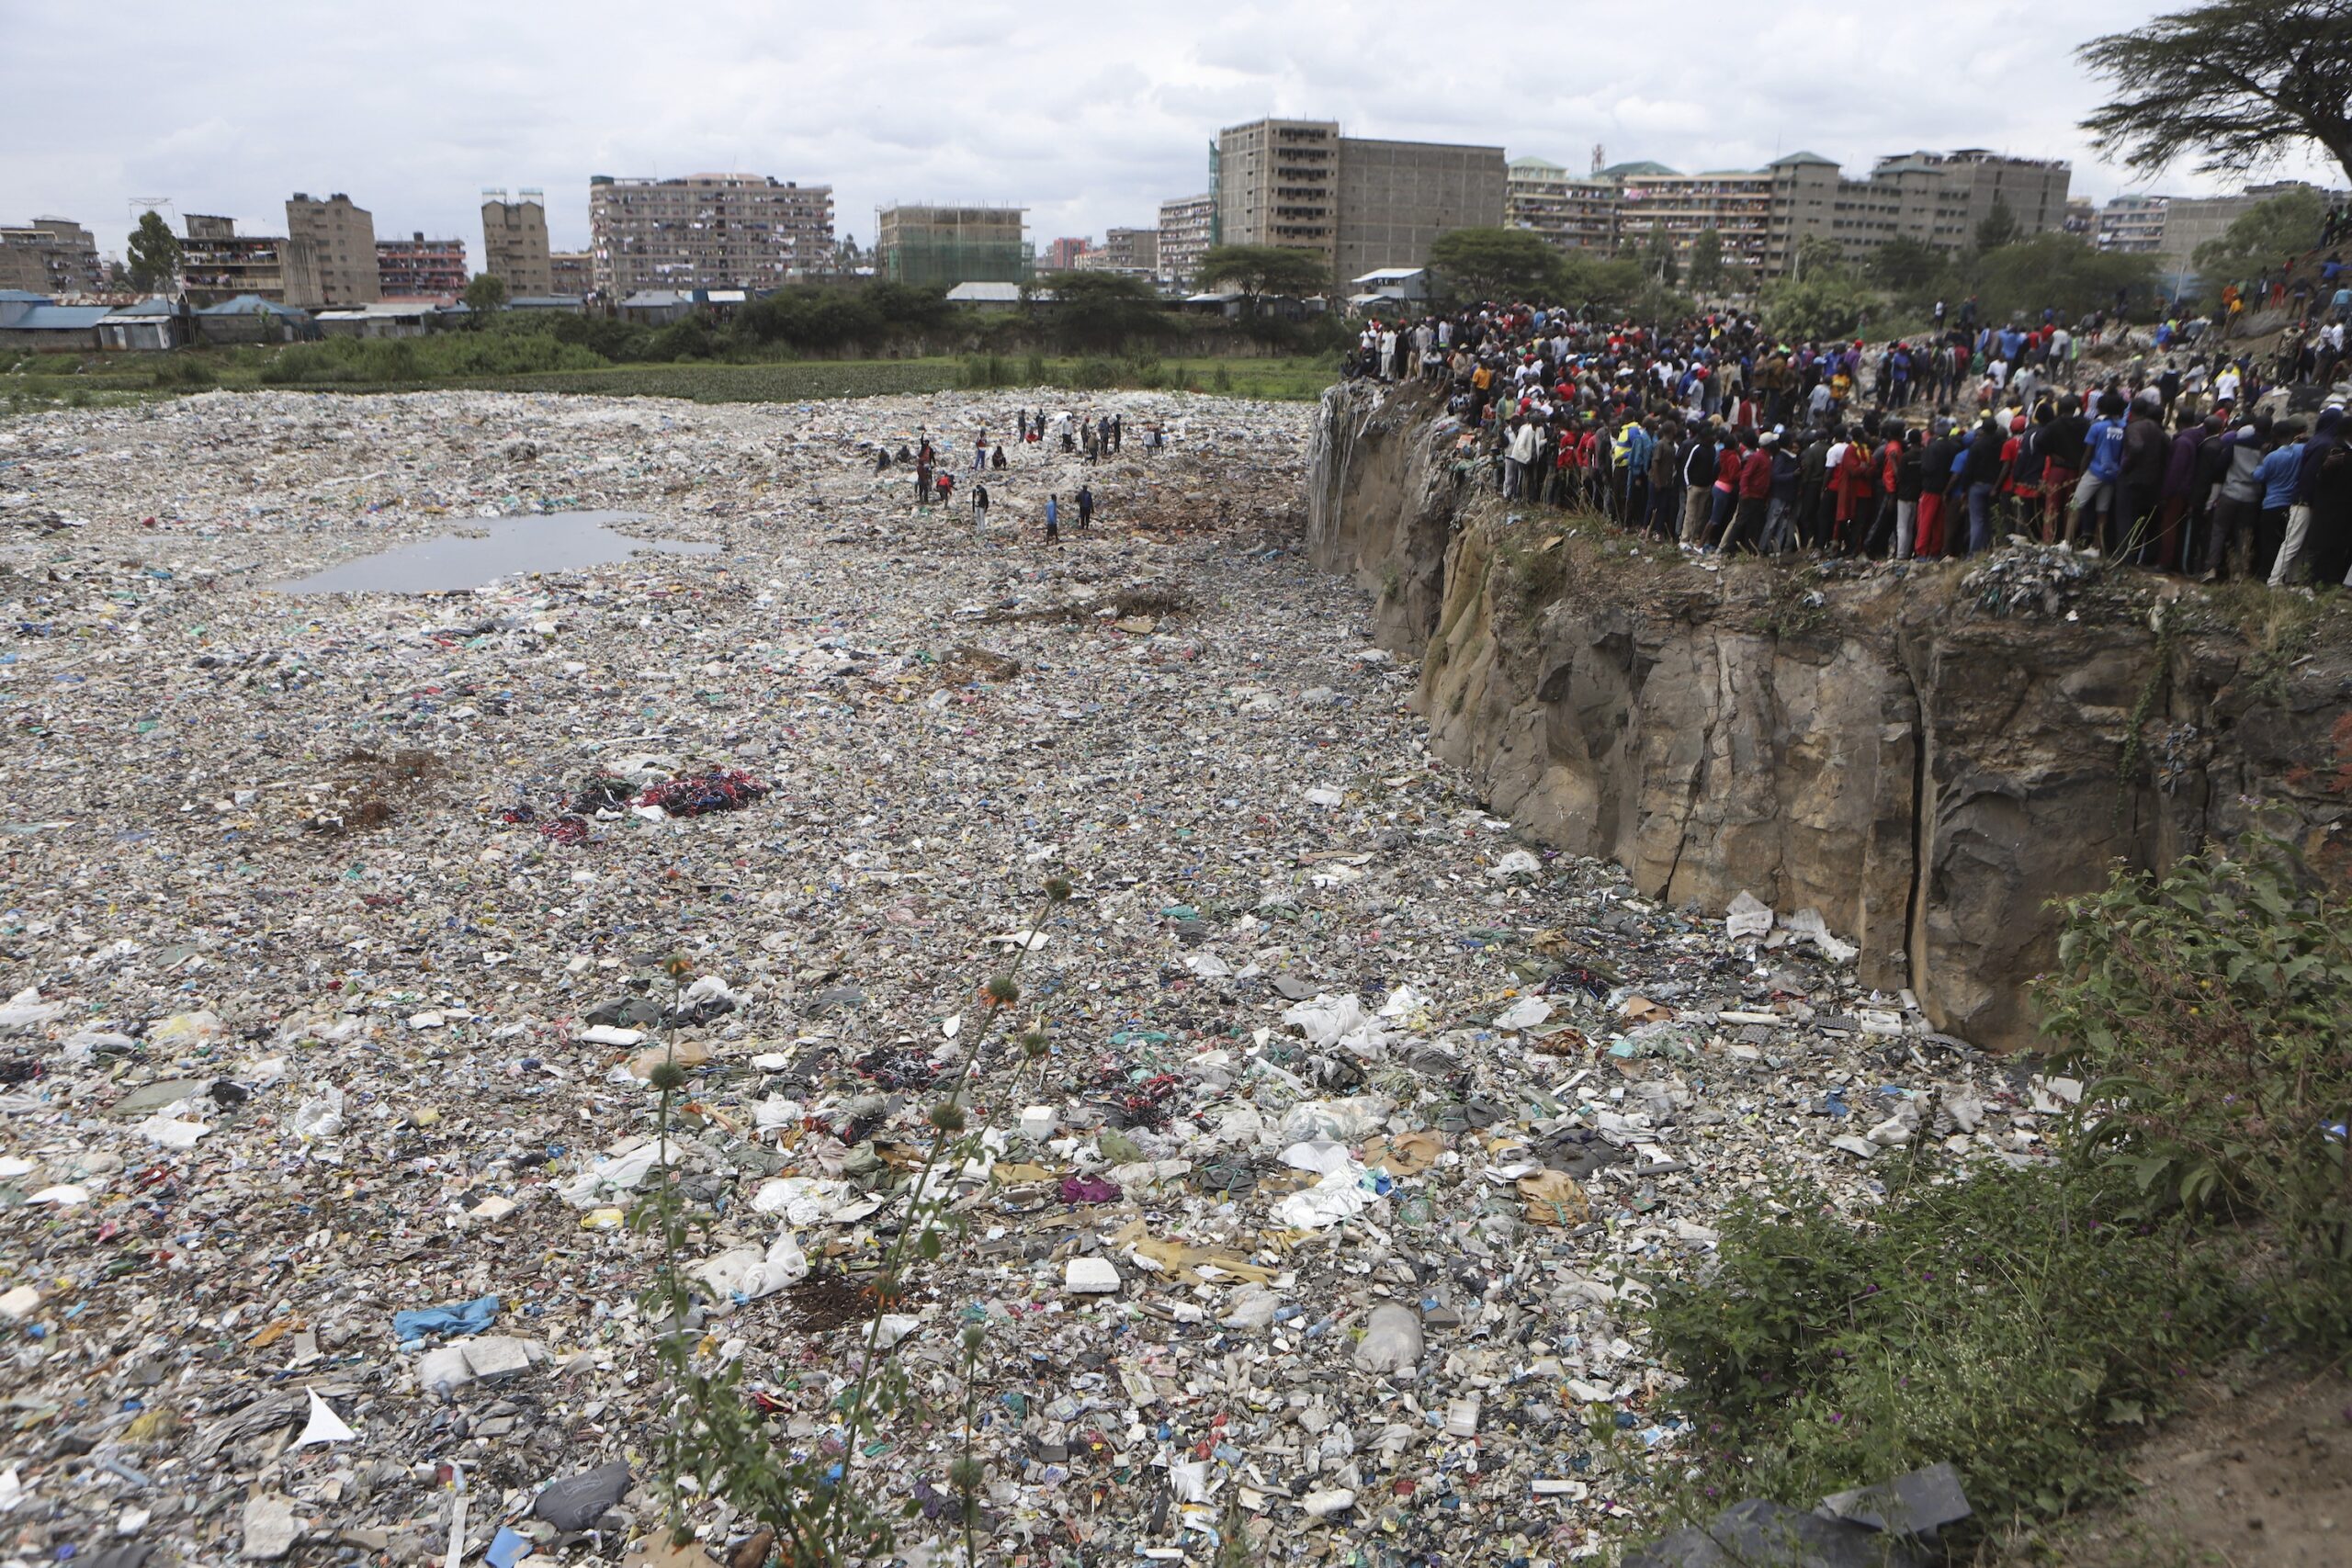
(1356, 203)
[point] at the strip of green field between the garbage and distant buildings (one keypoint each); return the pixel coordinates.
(48, 382)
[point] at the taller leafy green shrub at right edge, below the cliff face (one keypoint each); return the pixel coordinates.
(2212, 1019)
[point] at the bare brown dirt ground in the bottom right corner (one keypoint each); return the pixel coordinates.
(2259, 1477)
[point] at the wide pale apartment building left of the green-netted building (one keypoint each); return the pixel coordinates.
(704, 232)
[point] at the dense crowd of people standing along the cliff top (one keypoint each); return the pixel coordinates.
(1716, 436)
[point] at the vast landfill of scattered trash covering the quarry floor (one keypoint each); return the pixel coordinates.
(347, 934)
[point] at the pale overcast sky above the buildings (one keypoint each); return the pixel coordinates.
(1088, 112)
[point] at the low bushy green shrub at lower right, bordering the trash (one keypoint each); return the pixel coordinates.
(1996, 1322)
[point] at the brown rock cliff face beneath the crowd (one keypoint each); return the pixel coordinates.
(1880, 749)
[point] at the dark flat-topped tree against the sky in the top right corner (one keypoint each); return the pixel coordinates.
(2236, 83)
